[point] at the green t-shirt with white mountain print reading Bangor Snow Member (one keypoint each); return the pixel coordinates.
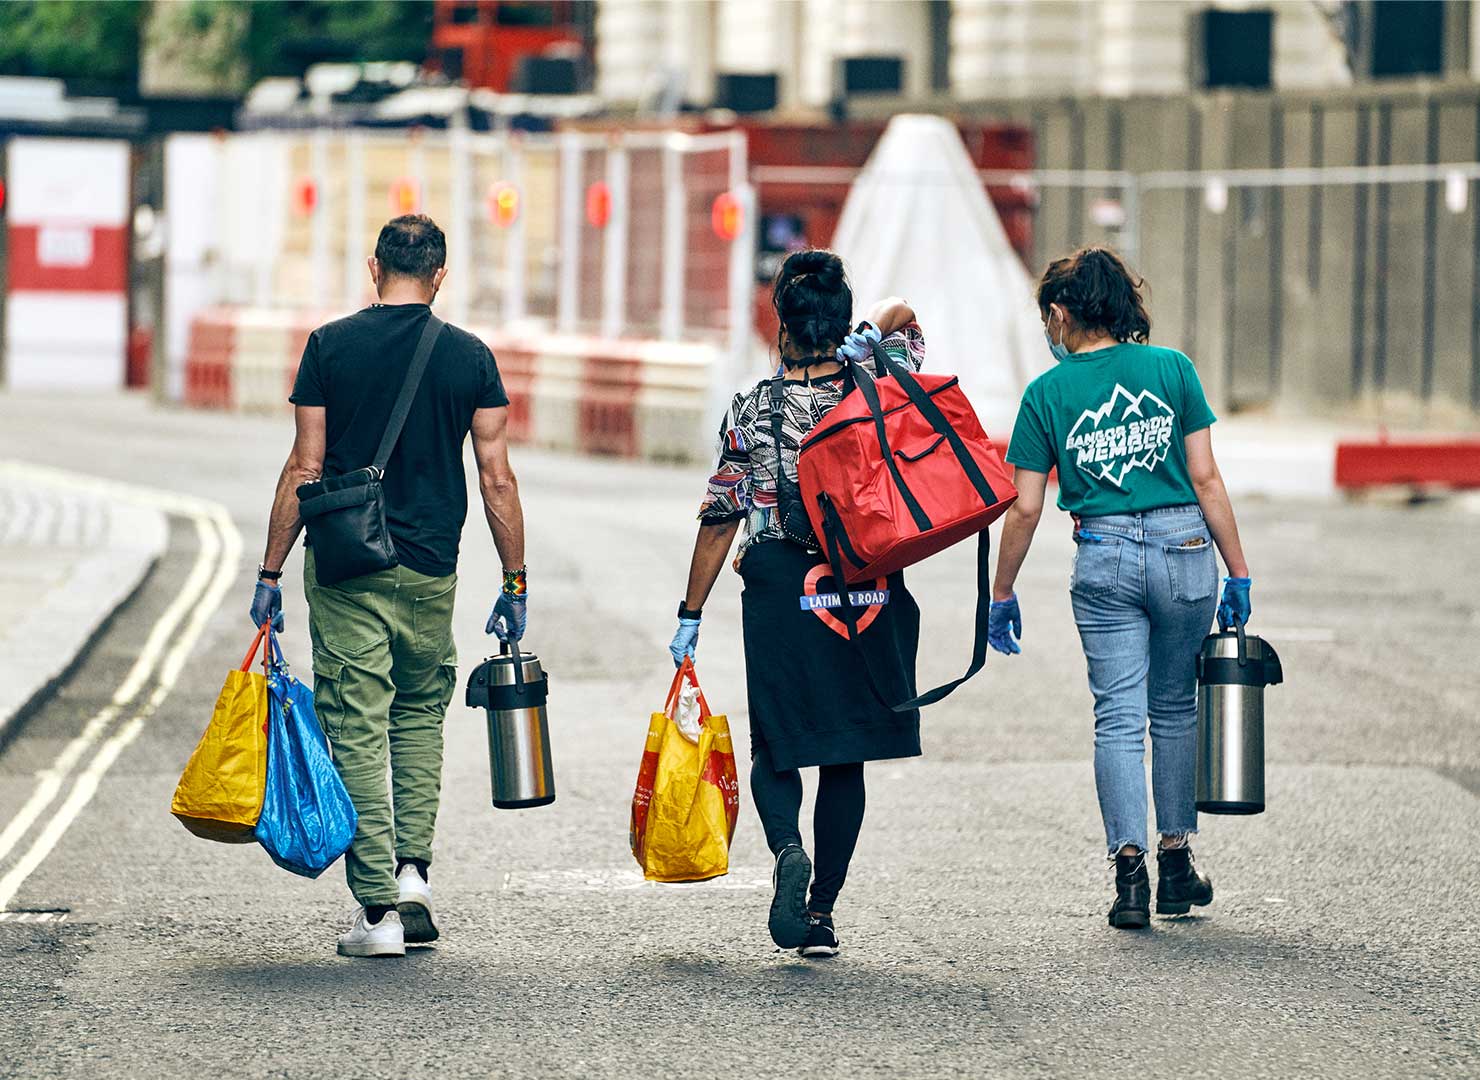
(1114, 422)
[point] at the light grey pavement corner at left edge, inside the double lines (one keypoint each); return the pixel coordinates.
(69, 558)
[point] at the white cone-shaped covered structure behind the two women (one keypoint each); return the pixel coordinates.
(918, 224)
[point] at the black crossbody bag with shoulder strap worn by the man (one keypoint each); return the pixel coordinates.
(346, 516)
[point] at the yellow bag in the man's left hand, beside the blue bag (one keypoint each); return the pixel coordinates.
(220, 797)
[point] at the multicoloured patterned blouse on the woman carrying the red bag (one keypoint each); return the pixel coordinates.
(744, 485)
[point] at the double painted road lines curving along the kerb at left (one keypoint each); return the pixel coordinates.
(203, 591)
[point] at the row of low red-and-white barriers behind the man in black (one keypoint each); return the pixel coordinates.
(645, 400)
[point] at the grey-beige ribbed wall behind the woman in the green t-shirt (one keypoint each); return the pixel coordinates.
(1311, 300)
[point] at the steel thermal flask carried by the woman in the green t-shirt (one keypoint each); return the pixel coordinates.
(1234, 669)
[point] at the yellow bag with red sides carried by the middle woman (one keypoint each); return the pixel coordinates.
(687, 798)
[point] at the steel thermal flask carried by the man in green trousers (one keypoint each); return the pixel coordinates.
(514, 689)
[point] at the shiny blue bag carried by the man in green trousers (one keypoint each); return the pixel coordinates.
(307, 816)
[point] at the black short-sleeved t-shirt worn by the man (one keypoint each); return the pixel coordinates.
(354, 368)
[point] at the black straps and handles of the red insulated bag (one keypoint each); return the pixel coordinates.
(837, 536)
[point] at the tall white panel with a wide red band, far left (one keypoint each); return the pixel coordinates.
(69, 266)
